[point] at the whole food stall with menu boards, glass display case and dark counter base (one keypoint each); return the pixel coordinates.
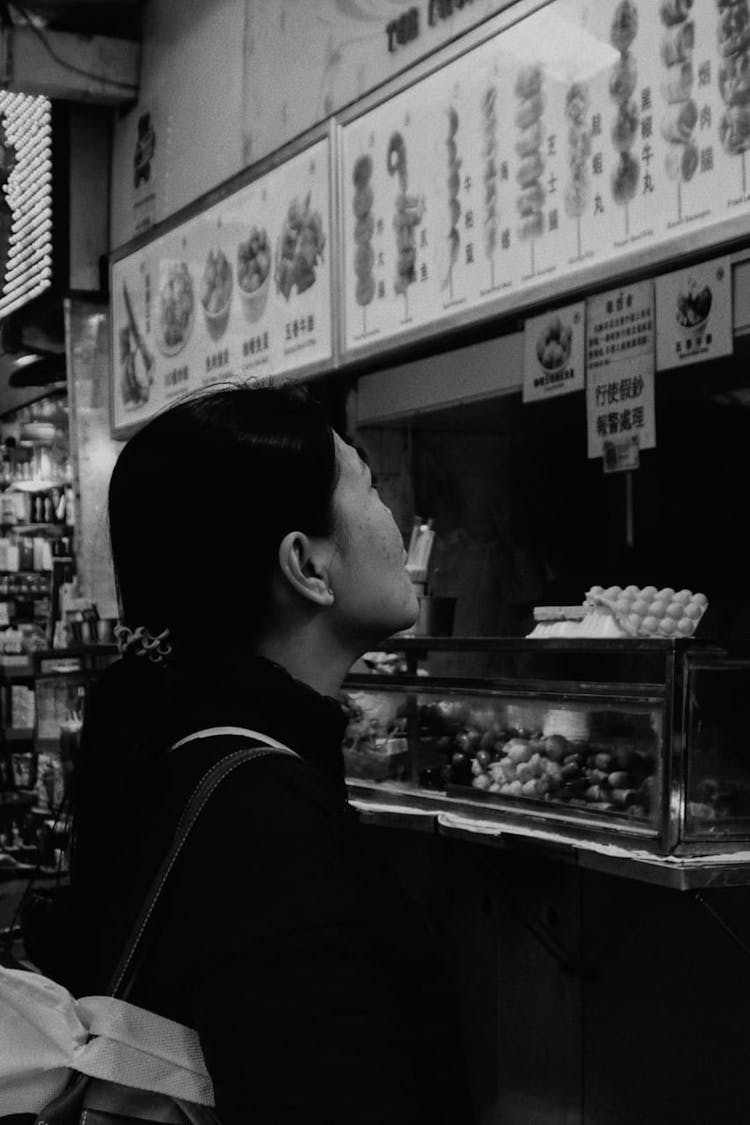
(526, 264)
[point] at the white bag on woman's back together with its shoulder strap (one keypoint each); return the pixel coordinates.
(135, 1066)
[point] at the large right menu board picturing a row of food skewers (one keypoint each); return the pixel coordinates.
(567, 142)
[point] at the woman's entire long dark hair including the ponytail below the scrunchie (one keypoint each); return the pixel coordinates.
(200, 502)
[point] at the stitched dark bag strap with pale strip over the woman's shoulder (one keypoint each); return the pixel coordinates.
(197, 802)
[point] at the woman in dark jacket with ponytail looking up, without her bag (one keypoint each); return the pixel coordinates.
(251, 545)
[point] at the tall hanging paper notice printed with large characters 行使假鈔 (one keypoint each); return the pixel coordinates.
(620, 367)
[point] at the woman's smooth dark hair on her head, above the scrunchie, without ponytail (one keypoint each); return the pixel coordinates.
(200, 502)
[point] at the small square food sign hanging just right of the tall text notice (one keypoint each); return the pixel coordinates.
(694, 314)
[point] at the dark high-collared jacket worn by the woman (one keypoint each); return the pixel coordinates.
(284, 939)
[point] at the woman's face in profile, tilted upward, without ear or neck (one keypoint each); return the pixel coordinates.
(374, 593)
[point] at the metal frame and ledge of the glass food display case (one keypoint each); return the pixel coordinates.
(665, 852)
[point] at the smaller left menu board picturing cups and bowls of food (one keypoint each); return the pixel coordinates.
(241, 291)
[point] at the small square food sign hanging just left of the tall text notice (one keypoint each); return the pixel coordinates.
(554, 354)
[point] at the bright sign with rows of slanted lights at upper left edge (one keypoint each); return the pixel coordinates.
(25, 199)
